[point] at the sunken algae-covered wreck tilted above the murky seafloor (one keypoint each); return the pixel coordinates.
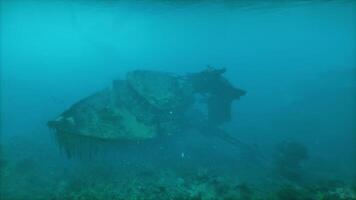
(147, 105)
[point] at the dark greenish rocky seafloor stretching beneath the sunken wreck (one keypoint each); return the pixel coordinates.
(34, 172)
